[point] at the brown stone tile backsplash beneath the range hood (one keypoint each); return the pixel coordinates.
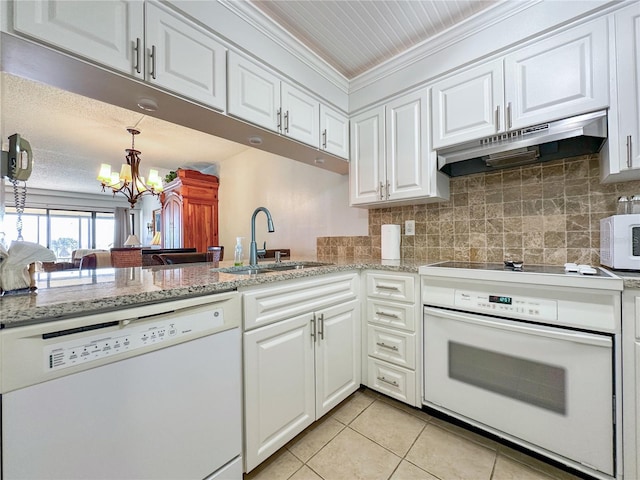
(542, 214)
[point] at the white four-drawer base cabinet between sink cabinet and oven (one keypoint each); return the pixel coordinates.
(392, 351)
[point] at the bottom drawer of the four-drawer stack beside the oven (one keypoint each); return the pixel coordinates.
(397, 382)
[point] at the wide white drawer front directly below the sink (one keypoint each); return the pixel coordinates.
(286, 299)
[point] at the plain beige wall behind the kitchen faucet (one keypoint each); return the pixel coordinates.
(305, 202)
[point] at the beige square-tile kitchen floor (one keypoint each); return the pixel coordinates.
(371, 437)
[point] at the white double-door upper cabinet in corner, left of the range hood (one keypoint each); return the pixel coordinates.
(391, 160)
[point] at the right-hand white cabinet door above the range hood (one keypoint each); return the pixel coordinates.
(564, 75)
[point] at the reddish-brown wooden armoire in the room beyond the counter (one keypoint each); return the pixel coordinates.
(190, 211)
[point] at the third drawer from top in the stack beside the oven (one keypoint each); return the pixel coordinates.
(393, 346)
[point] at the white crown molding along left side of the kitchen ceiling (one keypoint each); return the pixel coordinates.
(261, 22)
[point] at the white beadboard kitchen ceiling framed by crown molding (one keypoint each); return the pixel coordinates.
(354, 36)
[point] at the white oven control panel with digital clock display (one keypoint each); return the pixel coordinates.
(527, 308)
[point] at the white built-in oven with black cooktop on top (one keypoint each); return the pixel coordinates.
(531, 356)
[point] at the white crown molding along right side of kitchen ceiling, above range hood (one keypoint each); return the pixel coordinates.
(454, 34)
